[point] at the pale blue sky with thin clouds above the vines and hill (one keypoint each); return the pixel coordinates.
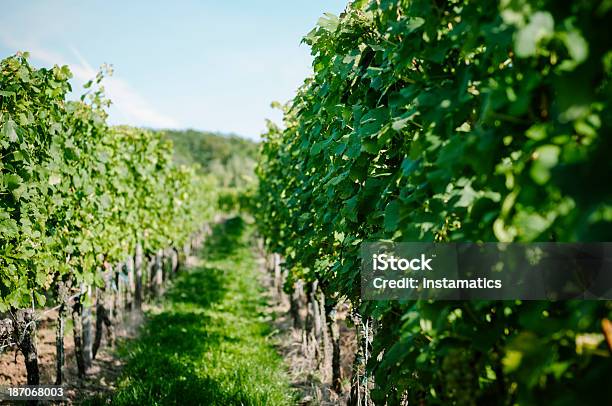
(209, 65)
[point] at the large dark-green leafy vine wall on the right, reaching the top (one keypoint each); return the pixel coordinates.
(452, 121)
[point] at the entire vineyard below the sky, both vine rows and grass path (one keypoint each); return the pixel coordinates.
(423, 121)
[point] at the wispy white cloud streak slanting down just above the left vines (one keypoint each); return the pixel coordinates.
(129, 107)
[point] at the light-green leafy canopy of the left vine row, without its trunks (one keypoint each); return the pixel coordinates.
(74, 192)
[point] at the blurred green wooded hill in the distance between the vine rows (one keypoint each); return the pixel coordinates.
(231, 159)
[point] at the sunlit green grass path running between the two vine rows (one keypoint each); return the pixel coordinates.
(208, 342)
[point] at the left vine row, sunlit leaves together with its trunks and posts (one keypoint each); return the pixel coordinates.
(86, 213)
